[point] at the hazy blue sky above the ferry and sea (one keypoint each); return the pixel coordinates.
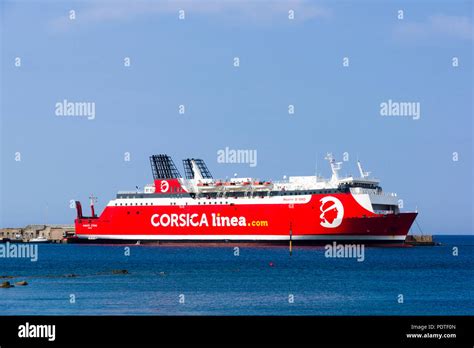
(190, 62)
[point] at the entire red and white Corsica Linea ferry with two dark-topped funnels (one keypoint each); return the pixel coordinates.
(198, 208)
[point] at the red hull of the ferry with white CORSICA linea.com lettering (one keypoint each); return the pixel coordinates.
(264, 219)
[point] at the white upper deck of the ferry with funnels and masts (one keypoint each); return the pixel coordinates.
(199, 183)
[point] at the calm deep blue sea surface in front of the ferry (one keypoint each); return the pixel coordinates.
(212, 281)
